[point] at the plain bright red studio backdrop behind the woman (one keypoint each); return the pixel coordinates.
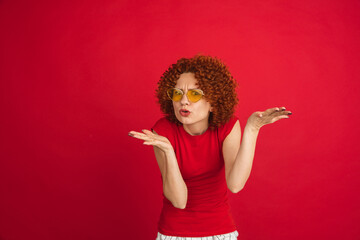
(77, 76)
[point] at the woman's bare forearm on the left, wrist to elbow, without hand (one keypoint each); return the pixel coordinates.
(174, 187)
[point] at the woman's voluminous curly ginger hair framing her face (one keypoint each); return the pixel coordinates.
(213, 78)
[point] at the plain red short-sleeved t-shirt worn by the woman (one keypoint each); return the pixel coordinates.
(201, 164)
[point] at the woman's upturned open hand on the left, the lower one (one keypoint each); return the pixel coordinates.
(153, 139)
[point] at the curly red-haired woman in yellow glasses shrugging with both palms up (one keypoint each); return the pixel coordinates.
(197, 147)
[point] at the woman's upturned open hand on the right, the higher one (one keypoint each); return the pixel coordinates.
(271, 115)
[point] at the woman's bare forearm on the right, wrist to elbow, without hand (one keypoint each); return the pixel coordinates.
(241, 168)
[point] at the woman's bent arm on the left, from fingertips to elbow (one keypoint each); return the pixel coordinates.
(174, 187)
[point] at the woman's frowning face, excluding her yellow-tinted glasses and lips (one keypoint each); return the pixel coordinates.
(199, 111)
